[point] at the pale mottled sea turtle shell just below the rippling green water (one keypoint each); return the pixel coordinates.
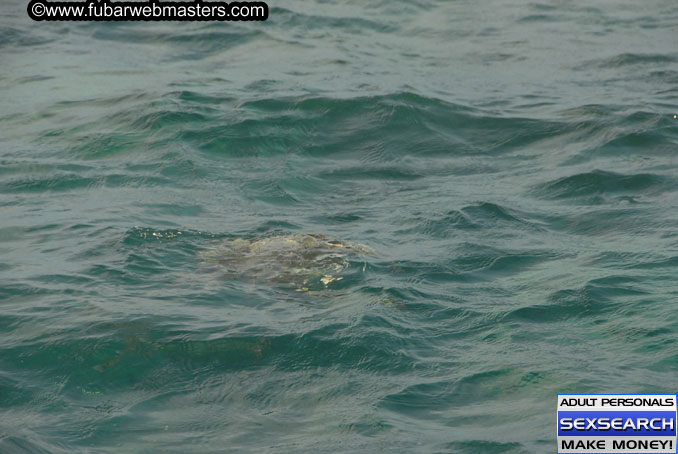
(299, 261)
